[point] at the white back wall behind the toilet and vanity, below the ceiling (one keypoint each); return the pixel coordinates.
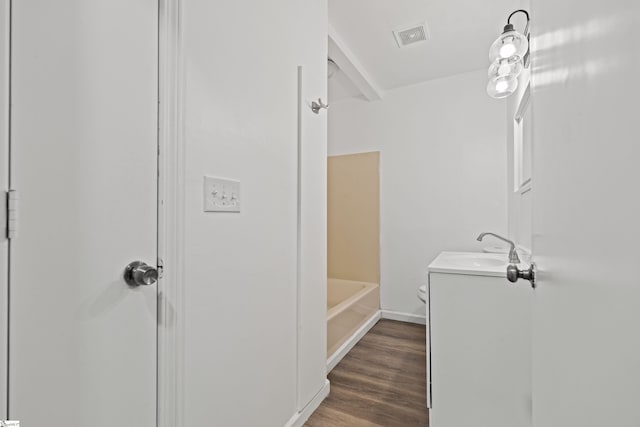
(443, 173)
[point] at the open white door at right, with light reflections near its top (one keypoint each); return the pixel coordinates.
(586, 213)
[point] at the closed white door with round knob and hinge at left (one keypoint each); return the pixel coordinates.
(82, 346)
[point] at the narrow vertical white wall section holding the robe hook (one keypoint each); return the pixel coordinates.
(311, 53)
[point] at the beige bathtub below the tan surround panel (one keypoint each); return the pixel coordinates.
(350, 305)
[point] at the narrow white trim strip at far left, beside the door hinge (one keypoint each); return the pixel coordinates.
(5, 78)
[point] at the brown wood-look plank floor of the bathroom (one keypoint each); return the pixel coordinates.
(381, 382)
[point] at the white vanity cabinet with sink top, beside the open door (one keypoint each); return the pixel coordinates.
(479, 343)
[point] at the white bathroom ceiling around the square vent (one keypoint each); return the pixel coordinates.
(460, 31)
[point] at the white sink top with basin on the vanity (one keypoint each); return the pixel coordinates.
(474, 263)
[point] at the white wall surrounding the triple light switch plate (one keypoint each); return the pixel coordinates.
(241, 292)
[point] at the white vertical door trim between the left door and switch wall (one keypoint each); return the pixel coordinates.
(170, 214)
